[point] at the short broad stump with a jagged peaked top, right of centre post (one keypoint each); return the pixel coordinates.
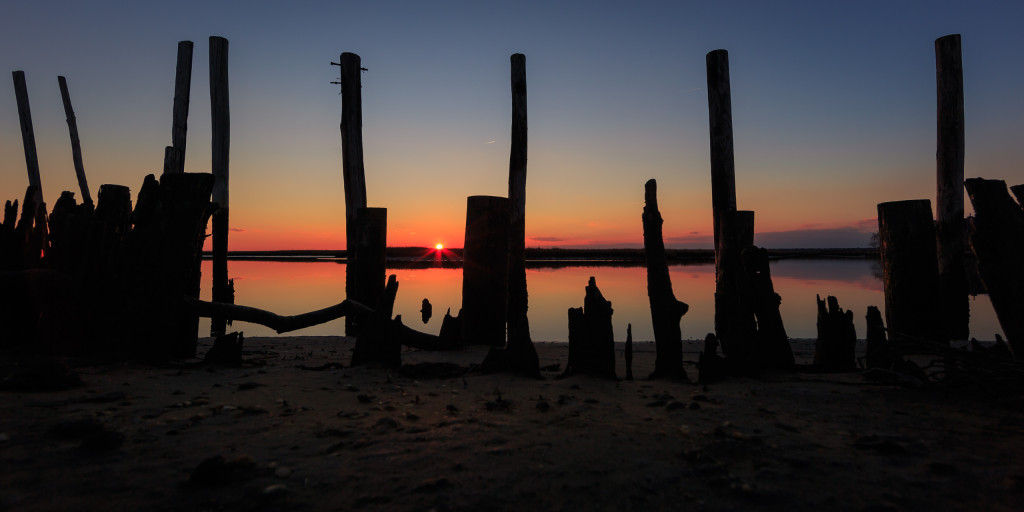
(592, 347)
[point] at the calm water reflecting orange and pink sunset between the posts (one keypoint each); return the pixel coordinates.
(293, 288)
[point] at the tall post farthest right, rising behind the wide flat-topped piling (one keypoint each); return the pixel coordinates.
(950, 202)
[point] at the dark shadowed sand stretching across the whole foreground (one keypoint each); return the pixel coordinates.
(296, 430)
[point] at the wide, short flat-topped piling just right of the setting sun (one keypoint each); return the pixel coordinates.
(485, 271)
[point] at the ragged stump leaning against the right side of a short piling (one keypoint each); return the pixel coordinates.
(772, 345)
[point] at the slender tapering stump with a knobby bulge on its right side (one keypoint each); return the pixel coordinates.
(666, 312)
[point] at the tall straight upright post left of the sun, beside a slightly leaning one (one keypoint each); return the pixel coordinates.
(222, 120)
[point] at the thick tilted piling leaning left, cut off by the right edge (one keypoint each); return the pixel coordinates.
(998, 241)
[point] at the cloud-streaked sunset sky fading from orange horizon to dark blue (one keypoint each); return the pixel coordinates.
(834, 110)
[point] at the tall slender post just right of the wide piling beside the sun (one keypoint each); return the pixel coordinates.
(522, 356)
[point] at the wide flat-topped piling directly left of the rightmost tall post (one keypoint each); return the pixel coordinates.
(911, 270)
